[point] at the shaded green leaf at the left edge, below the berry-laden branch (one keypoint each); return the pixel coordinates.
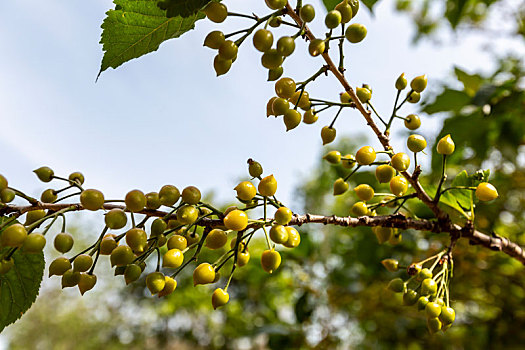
(19, 287)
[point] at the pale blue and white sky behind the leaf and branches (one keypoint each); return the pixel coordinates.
(165, 117)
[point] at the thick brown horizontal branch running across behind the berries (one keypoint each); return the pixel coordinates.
(493, 242)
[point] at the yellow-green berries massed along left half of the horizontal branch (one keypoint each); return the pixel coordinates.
(190, 224)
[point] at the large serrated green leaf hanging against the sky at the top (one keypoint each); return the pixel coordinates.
(139, 27)
